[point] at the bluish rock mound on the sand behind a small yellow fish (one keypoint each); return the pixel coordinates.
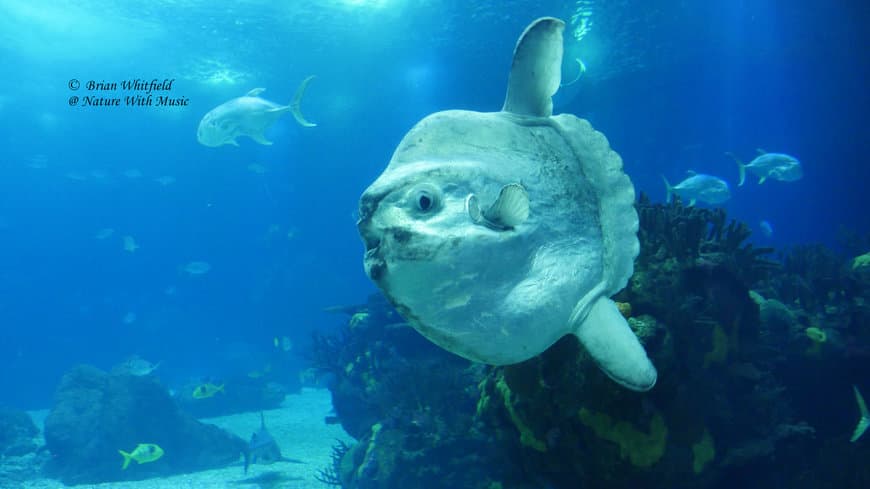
(96, 414)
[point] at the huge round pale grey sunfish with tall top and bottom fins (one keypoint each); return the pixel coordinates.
(495, 234)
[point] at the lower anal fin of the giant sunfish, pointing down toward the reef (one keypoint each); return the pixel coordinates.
(613, 345)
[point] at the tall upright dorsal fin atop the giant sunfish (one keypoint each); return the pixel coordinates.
(536, 70)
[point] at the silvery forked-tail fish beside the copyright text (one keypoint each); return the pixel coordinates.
(248, 115)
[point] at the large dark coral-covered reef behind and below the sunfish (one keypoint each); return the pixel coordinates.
(728, 328)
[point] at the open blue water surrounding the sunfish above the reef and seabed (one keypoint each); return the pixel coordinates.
(673, 86)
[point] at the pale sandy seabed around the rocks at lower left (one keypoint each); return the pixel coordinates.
(297, 426)
